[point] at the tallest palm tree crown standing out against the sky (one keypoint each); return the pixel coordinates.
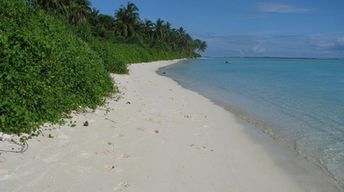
(127, 20)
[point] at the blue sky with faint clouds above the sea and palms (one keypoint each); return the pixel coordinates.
(289, 28)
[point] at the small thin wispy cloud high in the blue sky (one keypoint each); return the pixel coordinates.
(282, 8)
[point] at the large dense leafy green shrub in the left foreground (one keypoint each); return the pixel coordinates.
(45, 69)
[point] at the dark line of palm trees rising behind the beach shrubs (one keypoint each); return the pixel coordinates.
(125, 26)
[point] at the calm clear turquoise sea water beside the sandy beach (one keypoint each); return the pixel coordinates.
(297, 101)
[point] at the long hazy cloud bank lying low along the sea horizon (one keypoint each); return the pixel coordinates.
(277, 45)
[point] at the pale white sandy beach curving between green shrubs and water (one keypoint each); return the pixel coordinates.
(158, 137)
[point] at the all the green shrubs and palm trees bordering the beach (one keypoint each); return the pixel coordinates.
(56, 55)
